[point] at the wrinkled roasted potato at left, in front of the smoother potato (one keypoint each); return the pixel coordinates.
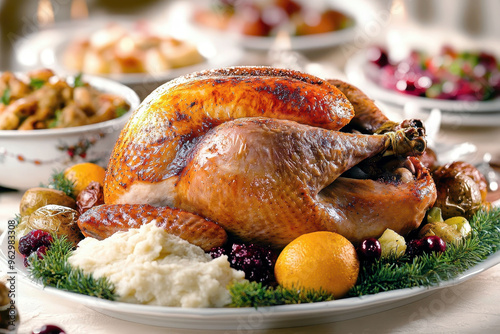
(58, 219)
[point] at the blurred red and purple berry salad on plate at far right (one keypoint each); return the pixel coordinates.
(449, 75)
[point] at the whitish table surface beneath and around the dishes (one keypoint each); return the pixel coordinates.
(472, 306)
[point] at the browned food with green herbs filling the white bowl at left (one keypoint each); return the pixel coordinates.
(45, 101)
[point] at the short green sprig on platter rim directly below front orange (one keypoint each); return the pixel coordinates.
(253, 294)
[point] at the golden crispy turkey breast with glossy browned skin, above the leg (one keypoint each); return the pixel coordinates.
(153, 147)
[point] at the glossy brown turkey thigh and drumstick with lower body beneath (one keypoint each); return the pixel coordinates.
(264, 180)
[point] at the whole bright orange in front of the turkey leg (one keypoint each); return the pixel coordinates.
(319, 260)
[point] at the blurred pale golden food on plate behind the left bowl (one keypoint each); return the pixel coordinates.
(115, 49)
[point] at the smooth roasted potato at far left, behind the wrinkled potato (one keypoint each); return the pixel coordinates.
(37, 197)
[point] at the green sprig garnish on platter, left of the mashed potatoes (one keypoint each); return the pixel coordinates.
(54, 270)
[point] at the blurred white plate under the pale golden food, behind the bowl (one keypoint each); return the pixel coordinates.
(46, 48)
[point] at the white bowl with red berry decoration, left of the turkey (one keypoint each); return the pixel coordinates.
(29, 158)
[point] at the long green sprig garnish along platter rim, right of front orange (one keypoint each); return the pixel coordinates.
(431, 269)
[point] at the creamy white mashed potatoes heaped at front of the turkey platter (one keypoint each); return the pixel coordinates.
(150, 266)
